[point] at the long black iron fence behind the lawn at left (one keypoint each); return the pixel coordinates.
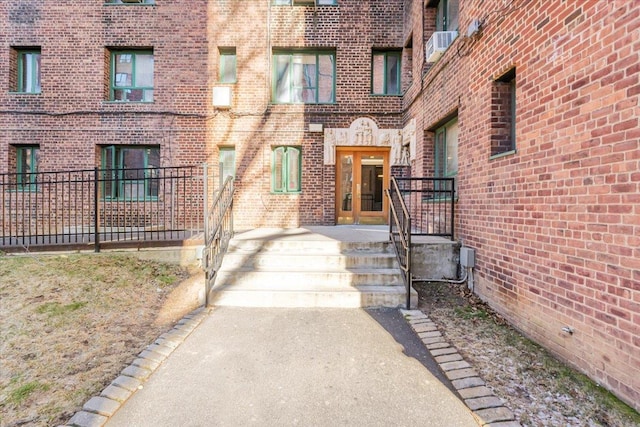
(101, 206)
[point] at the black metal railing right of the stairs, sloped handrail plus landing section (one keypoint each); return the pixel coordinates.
(418, 207)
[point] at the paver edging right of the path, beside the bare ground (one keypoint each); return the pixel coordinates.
(489, 410)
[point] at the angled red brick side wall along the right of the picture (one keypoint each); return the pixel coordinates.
(555, 224)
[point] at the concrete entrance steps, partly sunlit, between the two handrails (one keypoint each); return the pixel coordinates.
(304, 272)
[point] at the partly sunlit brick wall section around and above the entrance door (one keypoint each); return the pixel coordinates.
(253, 125)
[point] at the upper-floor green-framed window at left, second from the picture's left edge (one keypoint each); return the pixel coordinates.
(132, 76)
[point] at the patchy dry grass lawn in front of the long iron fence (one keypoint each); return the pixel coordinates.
(70, 324)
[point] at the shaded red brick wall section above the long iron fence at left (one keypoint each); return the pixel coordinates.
(72, 116)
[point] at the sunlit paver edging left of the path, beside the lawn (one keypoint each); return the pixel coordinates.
(97, 411)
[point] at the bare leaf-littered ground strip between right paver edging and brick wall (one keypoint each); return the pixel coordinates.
(538, 388)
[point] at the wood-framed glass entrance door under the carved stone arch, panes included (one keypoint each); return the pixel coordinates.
(361, 178)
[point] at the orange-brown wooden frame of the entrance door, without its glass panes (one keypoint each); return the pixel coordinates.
(357, 216)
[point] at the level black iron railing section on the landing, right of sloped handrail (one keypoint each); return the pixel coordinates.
(431, 205)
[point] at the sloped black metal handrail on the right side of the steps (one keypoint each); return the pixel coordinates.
(400, 234)
